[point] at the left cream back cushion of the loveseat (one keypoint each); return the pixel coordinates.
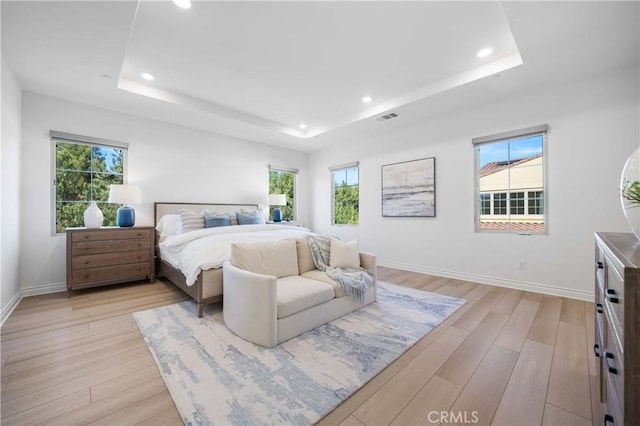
(278, 258)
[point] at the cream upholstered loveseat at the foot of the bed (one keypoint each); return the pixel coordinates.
(273, 291)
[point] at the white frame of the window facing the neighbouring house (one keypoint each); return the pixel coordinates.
(540, 130)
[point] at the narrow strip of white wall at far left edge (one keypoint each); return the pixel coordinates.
(10, 216)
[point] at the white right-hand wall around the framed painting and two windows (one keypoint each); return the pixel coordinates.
(593, 129)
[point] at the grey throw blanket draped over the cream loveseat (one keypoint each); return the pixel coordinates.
(354, 281)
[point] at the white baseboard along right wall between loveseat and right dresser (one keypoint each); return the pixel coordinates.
(588, 296)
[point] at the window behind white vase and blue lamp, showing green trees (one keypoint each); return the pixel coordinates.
(84, 167)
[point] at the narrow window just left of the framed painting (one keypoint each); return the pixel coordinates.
(346, 194)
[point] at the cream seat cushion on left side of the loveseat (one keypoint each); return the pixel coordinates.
(297, 293)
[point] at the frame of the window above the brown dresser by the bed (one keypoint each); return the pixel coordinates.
(55, 137)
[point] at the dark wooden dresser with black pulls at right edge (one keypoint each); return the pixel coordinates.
(617, 340)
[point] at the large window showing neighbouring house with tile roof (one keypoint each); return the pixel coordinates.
(511, 181)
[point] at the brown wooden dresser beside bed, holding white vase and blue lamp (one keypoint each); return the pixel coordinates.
(109, 255)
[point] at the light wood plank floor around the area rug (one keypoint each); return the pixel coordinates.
(506, 357)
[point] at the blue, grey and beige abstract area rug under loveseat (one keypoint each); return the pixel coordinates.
(215, 377)
